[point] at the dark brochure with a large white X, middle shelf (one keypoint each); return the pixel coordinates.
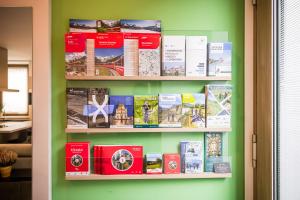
(98, 109)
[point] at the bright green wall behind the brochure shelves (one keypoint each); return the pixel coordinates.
(210, 15)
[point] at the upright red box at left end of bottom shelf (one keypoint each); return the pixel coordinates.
(77, 158)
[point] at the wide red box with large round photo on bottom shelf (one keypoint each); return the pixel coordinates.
(121, 159)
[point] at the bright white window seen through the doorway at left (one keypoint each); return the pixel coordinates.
(16, 102)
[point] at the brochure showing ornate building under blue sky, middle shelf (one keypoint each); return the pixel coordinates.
(122, 111)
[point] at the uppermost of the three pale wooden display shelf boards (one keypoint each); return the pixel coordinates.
(150, 78)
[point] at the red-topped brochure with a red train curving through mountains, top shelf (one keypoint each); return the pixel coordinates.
(109, 54)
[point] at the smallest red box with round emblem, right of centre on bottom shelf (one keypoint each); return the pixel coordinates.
(172, 163)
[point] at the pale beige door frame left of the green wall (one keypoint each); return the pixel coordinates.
(41, 97)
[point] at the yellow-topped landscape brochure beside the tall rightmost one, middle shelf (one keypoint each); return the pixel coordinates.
(193, 110)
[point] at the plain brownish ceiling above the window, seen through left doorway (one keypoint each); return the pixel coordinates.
(16, 33)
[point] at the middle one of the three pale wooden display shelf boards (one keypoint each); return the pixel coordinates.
(145, 130)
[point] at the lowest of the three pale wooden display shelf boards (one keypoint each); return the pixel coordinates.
(204, 175)
